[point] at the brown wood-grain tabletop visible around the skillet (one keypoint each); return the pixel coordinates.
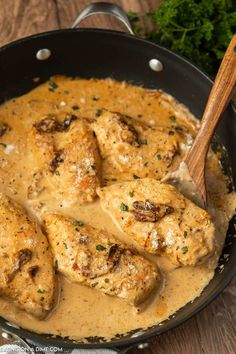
(212, 331)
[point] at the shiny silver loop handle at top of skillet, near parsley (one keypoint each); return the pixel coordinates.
(104, 8)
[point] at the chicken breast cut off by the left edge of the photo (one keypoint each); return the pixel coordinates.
(27, 275)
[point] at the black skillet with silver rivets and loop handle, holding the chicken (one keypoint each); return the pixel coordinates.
(100, 53)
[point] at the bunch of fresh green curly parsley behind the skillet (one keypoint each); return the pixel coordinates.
(198, 29)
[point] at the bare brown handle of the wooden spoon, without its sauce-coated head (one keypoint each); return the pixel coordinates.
(217, 101)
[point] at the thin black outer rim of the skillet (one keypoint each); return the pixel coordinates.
(157, 330)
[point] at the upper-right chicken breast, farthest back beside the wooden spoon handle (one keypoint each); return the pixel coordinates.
(132, 149)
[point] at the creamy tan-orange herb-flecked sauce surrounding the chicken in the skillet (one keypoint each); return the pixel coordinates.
(82, 312)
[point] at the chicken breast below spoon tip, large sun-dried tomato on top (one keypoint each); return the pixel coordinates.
(161, 220)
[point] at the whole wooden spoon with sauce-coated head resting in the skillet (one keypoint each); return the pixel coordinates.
(189, 178)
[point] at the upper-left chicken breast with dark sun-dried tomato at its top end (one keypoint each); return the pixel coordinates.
(67, 155)
